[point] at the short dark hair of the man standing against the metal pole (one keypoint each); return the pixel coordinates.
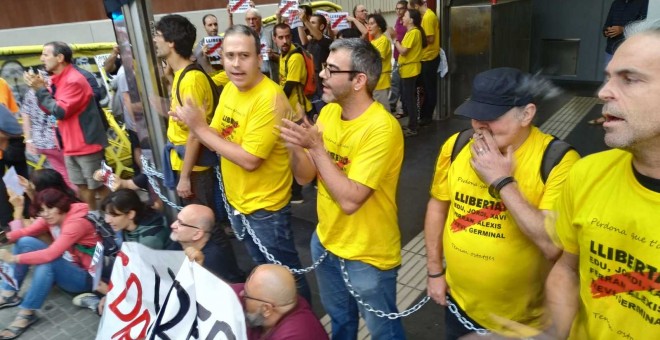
(179, 30)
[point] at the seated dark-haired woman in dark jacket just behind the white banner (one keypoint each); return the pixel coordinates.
(134, 222)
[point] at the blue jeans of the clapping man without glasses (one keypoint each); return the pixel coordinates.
(273, 229)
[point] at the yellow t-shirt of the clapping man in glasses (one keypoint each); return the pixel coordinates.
(369, 150)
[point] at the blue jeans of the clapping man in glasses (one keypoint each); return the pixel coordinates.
(376, 287)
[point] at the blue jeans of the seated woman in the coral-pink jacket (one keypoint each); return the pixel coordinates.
(66, 275)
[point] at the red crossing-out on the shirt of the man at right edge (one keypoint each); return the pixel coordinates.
(624, 283)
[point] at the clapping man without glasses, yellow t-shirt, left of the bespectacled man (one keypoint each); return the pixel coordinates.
(255, 164)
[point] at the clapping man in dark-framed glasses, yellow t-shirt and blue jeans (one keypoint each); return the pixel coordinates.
(357, 157)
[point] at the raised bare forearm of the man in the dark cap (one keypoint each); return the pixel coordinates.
(530, 220)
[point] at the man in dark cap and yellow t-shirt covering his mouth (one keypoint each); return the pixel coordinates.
(488, 206)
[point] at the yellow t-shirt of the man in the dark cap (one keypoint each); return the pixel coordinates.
(492, 267)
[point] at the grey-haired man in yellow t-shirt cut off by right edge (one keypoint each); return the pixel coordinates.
(606, 284)
